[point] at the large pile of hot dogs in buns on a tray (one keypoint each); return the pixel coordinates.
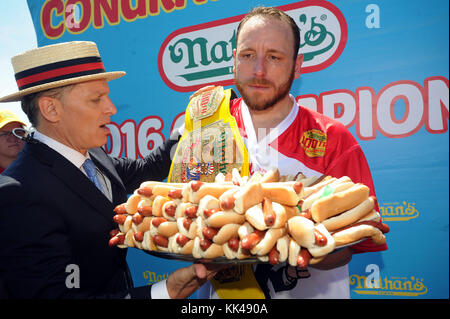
(299, 221)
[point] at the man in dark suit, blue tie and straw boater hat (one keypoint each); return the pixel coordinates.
(57, 203)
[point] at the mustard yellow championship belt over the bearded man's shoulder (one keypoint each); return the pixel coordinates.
(211, 144)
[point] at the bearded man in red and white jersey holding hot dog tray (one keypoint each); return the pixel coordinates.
(280, 133)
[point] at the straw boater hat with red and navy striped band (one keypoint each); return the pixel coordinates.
(57, 65)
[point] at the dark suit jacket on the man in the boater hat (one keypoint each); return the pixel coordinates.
(55, 224)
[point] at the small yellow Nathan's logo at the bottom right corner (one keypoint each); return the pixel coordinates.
(375, 284)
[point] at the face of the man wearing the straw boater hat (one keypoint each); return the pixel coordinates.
(85, 111)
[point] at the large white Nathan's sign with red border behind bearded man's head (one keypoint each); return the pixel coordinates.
(202, 54)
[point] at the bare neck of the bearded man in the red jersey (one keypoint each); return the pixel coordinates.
(265, 120)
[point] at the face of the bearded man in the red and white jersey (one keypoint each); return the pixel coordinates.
(264, 66)
